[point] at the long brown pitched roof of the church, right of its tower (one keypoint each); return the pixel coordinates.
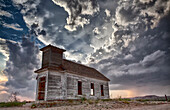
(83, 70)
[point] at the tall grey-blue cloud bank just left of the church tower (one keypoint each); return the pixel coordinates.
(23, 60)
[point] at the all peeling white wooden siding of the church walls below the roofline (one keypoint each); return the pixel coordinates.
(65, 86)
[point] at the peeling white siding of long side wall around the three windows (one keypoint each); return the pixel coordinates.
(72, 87)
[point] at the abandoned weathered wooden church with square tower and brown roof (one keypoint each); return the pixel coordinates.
(59, 78)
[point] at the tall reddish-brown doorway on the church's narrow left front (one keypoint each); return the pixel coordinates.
(41, 89)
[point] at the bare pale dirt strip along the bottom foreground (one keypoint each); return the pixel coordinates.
(97, 107)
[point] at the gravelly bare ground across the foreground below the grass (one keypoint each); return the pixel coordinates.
(108, 105)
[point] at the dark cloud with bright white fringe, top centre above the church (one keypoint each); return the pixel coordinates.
(76, 9)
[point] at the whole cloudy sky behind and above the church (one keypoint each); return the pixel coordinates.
(126, 40)
